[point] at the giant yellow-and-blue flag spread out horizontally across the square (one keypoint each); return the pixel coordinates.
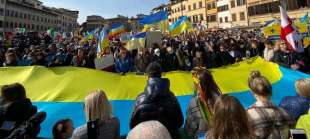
(61, 91)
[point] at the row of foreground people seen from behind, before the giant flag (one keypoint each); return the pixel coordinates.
(157, 113)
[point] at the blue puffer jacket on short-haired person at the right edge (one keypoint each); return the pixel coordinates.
(295, 105)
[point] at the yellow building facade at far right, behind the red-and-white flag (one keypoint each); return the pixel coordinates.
(260, 11)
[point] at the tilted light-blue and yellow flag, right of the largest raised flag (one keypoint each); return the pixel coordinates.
(180, 26)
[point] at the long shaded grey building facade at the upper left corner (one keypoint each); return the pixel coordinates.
(32, 15)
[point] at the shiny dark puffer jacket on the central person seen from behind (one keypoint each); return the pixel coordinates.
(158, 103)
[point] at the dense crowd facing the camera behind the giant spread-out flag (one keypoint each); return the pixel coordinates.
(205, 49)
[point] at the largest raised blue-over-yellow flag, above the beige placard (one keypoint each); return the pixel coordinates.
(158, 21)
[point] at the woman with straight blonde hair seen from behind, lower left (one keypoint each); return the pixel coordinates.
(98, 112)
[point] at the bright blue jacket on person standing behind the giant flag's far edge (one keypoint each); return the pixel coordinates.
(124, 65)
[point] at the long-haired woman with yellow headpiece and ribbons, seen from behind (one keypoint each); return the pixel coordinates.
(199, 111)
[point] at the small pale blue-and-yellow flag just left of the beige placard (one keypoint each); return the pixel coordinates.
(137, 41)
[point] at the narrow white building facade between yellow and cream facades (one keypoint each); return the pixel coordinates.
(223, 13)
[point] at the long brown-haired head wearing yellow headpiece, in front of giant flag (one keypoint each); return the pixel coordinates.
(204, 82)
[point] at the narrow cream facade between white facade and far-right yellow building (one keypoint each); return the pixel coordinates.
(238, 10)
